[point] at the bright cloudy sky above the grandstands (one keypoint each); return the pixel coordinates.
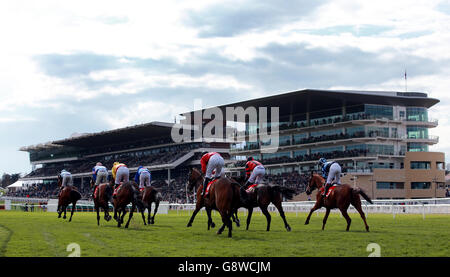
(89, 66)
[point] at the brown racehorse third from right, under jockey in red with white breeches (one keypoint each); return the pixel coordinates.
(222, 197)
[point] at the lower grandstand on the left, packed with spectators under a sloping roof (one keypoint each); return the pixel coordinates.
(148, 144)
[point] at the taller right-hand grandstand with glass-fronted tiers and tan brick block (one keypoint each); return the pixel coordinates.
(380, 138)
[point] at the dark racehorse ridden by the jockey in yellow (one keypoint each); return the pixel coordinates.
(126, 193)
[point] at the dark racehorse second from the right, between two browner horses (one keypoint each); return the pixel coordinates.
(262, 196)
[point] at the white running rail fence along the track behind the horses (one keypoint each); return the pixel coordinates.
(394, 207)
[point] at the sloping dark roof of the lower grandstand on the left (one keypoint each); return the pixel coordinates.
(150, 130)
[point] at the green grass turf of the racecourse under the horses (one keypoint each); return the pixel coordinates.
(42, 234)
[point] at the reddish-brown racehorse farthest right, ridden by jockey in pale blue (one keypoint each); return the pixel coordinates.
(341, 197)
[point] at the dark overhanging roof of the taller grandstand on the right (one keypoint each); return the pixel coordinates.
(301, 101)
